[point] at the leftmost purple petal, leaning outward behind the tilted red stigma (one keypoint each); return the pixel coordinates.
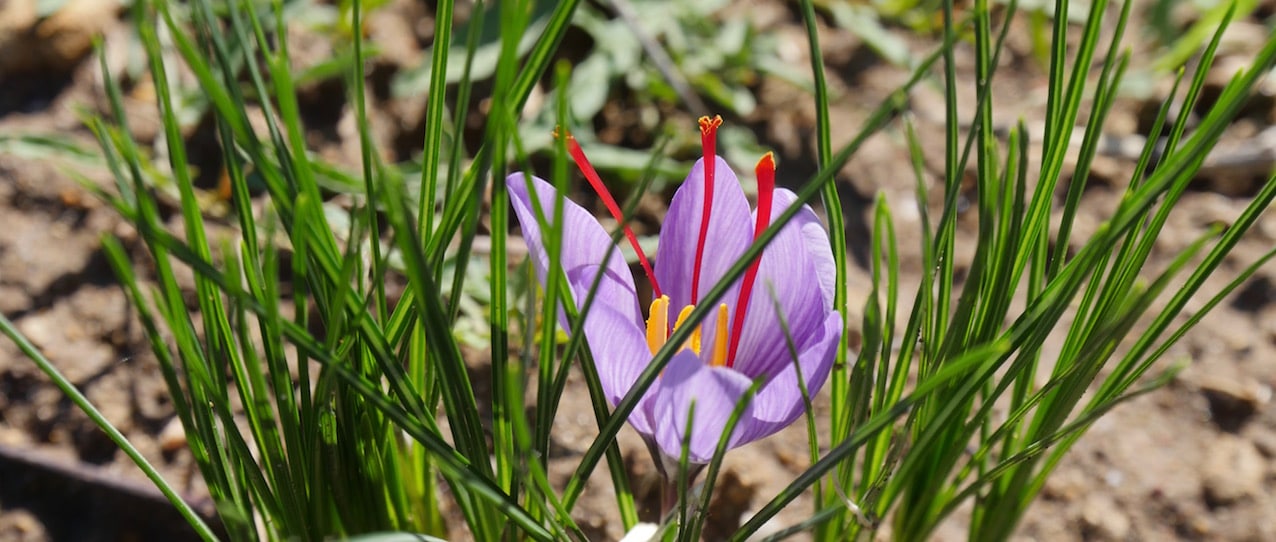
(614, 325)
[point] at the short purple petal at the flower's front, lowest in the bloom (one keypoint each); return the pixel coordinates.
(715, 393)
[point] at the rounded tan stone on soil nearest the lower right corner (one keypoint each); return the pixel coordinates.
(1233, 472)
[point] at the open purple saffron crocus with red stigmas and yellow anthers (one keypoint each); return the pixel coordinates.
(775, 323)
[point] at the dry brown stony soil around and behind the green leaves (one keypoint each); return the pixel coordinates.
(1192, 461)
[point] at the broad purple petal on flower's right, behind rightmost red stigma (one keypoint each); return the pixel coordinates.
(790, 288)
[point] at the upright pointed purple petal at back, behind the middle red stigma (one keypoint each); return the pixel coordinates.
(729, 235)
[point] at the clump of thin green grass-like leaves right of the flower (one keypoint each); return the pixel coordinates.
(950, 448)
